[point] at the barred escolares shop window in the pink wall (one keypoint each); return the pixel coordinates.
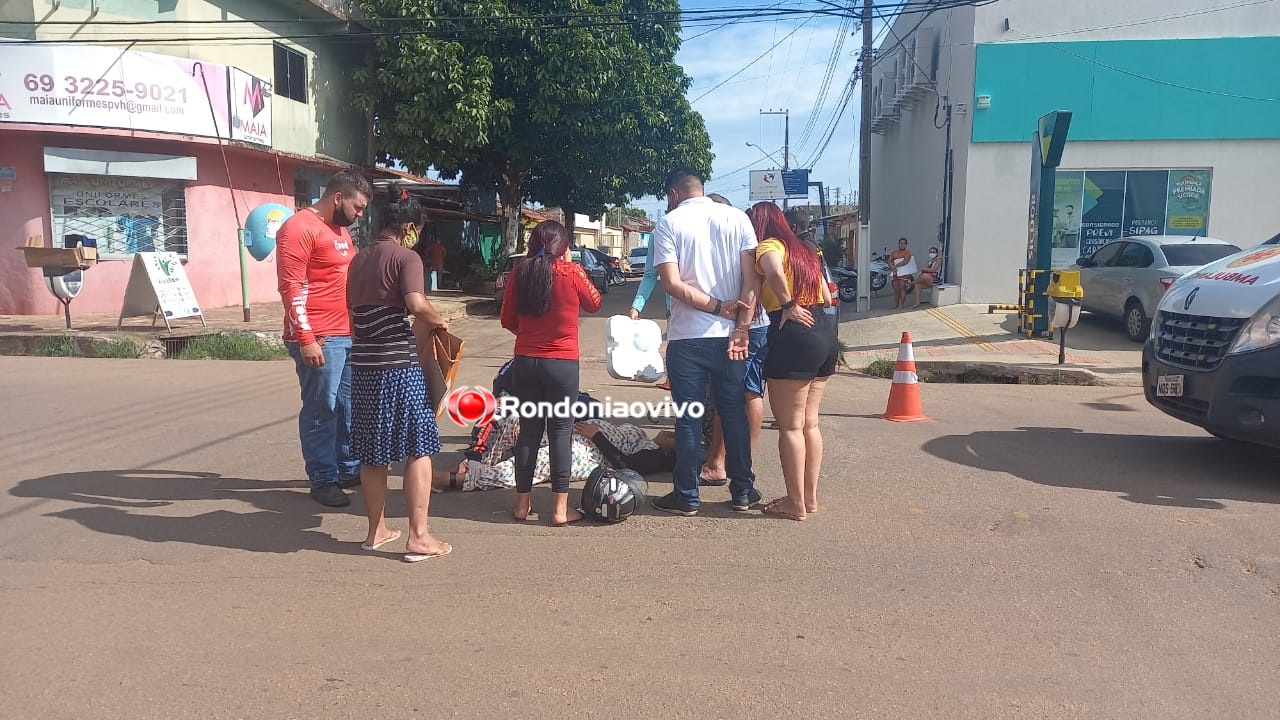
(122, 216)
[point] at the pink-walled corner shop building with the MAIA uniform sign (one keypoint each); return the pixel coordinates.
(167, 149)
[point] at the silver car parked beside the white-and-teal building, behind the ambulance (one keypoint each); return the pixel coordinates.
(1128, 279)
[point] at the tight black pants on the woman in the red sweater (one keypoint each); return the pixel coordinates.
(542, 380)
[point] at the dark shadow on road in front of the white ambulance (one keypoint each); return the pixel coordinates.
(1174, 472)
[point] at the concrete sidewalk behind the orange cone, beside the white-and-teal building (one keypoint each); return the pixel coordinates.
(959, 338)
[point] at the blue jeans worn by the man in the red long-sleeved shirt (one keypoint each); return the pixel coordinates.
(324, 423)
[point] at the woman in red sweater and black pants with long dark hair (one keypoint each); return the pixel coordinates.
(542, 303)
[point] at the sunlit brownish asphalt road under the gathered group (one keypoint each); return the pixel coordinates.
(1034, 553)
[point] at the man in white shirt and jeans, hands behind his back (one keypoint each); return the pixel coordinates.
(706, 258)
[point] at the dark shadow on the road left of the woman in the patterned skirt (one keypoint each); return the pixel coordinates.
(124, 503)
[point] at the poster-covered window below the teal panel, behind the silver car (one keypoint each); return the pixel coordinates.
(1094, 208)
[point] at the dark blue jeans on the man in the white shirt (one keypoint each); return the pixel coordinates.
(692, 366)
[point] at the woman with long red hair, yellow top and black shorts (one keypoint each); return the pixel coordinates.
(803, 352)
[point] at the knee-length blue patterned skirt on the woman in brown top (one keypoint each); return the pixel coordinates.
(391, 418)
